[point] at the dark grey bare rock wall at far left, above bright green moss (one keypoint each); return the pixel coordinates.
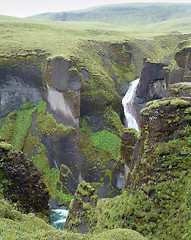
(20, 81)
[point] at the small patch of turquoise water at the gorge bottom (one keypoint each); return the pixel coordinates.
(58, 217)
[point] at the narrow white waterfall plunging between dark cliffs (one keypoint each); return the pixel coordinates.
(128, 104)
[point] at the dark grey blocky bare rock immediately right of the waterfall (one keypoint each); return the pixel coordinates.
(152, 84)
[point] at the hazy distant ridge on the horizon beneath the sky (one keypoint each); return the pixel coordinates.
(124, 14)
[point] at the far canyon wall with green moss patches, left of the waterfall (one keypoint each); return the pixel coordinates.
(66, 114)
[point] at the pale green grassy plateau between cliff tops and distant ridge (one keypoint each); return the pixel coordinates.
(18, 36)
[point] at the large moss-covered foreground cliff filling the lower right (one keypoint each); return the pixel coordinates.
(156, 201)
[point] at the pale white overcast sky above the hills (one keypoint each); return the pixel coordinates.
(25, 8)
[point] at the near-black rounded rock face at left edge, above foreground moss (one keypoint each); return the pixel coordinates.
(22, 181)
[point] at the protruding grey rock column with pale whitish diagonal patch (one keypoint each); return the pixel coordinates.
(64, 92)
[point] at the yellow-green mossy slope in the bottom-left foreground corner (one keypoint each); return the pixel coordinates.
(15, 225)
